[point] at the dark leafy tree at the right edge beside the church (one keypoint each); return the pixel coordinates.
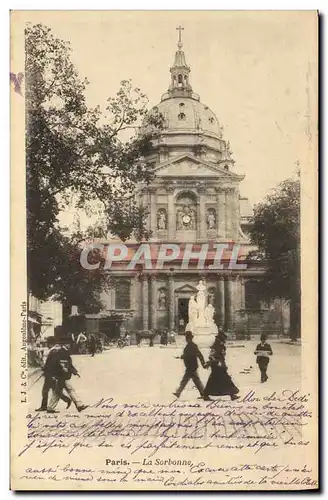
(276, 232)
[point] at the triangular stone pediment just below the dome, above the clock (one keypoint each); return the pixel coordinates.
(188, 166)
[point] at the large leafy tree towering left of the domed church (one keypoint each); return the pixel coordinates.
(74, 150)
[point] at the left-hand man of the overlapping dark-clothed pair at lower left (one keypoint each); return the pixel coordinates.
(50, 372)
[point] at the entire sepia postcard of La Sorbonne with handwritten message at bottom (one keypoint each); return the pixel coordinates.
(164, 214)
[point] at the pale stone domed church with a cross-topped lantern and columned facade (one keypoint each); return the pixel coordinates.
(195, 200)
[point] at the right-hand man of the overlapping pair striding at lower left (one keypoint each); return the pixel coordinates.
(64, 369)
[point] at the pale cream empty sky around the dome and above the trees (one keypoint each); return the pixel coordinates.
(255, 70)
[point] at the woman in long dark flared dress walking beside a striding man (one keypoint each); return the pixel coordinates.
(219, 382)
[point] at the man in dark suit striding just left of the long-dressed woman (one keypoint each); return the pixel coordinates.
(190, 355)
